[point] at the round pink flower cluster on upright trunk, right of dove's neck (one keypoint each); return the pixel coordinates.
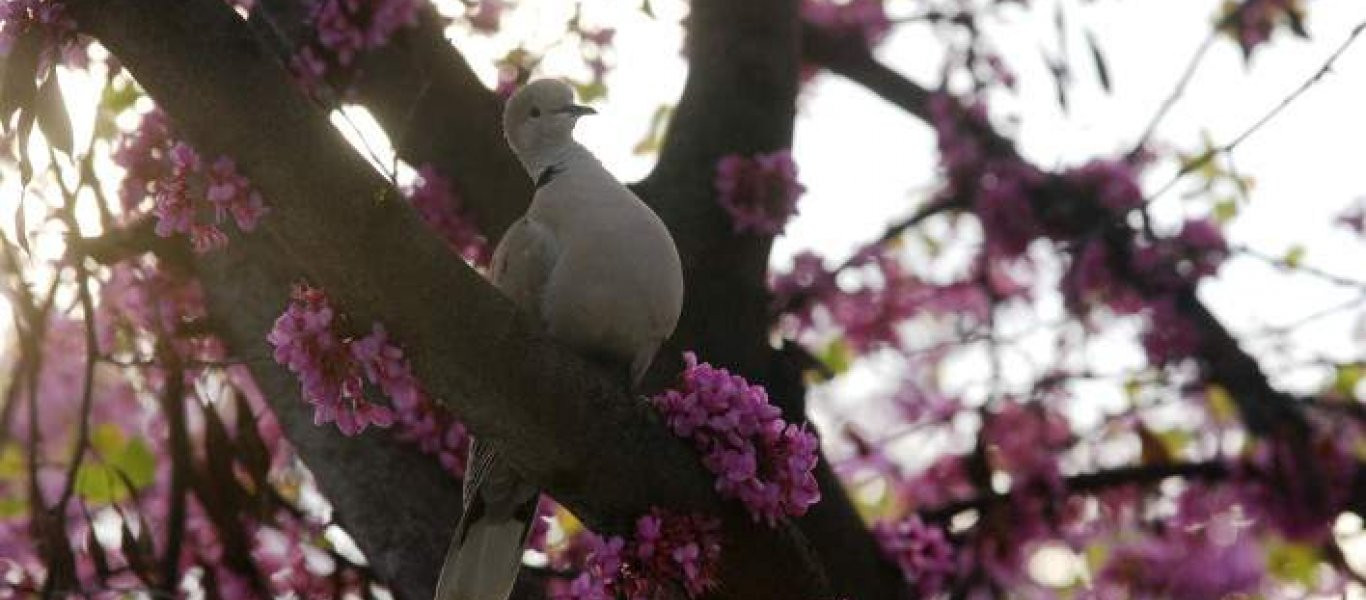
(760, 193)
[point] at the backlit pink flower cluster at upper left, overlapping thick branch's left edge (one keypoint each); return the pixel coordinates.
(177, 178)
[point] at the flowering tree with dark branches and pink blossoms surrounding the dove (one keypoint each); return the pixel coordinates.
(247, 360)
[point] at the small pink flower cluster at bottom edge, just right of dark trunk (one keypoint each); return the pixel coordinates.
(923, 553)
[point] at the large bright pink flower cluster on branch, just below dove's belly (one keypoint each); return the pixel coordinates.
(757, 457)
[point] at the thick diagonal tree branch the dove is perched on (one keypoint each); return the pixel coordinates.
(561, 423)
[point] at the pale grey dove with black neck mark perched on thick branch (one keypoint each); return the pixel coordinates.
(599, 271)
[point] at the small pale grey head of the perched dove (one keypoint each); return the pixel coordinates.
(539, 121)
